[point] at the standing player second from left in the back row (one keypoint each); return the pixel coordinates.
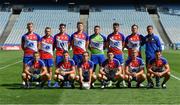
(46, 51)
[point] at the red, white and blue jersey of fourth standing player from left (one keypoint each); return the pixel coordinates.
(79, 42)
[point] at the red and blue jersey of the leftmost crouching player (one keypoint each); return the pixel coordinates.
(35, 65)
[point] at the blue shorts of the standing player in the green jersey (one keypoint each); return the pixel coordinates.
(97, 58)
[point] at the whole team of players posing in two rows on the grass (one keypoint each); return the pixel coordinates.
(39, 60)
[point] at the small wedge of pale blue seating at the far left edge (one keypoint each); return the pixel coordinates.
(4, 17)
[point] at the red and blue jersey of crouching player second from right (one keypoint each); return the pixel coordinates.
(134, 65)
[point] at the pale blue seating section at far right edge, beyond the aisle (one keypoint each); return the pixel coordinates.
(170, 19)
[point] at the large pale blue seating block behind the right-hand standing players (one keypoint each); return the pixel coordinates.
(125, 15)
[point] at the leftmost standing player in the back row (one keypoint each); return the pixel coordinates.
(29, 44)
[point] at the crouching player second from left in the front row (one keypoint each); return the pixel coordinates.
(65, 72)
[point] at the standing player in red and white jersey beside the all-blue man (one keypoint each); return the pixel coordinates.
(134, 41)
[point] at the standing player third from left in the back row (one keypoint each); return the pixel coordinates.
(61, 43)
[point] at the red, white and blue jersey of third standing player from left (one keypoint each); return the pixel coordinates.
(61, 43)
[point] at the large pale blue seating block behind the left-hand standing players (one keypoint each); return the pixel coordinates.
(43, 16)
